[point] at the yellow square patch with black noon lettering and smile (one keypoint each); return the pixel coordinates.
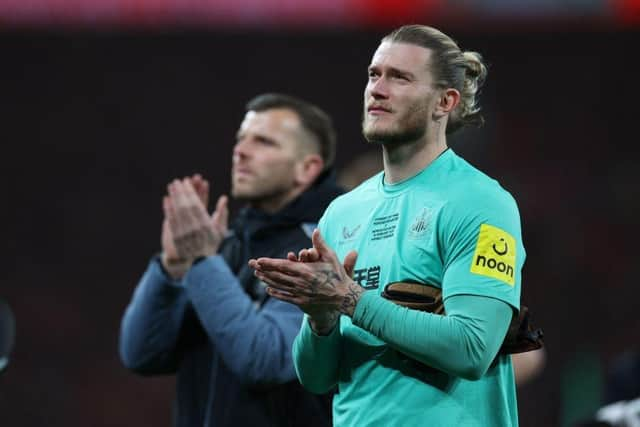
(495, 254)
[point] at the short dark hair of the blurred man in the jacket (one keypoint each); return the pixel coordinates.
(313, 119)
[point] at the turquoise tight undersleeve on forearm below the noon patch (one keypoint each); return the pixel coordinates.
(462, 343)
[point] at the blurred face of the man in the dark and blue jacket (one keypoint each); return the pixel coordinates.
(265, 155)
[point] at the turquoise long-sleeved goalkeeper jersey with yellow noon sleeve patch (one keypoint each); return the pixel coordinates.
(449, 226)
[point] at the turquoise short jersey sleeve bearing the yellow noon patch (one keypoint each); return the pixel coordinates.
(483, 253)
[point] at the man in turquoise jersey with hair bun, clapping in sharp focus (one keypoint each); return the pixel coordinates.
(432, 219)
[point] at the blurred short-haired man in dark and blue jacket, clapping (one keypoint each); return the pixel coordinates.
(198, 310)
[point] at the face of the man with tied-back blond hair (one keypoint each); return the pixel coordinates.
(400, 96)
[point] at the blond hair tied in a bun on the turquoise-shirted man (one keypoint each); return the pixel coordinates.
(464, 71)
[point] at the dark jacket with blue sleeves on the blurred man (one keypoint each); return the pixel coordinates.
(228, 342)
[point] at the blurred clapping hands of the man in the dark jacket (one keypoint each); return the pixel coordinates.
(188, 231)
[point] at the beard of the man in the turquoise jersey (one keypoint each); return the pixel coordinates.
(407, 128)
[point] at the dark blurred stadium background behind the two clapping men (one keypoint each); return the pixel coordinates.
(95, 124)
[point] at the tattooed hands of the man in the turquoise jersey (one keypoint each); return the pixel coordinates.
(315, 281)
